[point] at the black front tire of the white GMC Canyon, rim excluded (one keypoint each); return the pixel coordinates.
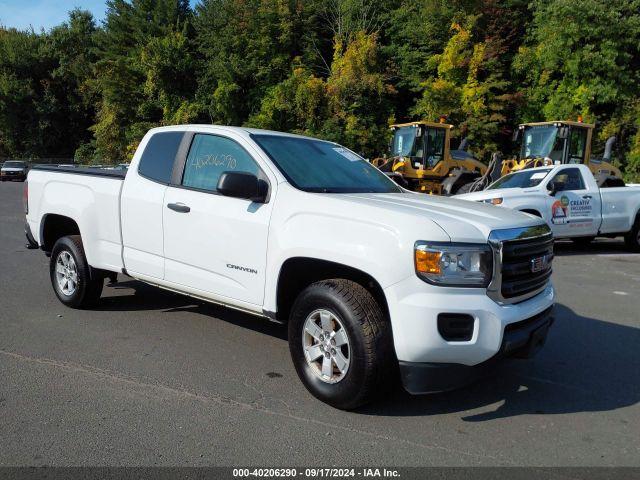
(371, 357)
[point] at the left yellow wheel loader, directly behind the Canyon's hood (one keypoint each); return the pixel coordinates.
(421, 159)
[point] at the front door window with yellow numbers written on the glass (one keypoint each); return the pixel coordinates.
(209, 157)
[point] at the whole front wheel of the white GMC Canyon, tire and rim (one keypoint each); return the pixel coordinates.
(340, 343)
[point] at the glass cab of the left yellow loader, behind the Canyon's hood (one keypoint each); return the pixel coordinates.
(423, 144)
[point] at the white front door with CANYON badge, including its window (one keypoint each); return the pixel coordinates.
(213, 243)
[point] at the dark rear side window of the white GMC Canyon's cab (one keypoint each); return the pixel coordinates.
(159, 155)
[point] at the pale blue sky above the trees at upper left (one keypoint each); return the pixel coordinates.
(23, 14)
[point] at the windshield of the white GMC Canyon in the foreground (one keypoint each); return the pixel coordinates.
(325, 167)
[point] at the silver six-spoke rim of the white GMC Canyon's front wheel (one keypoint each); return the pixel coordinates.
(326, 346)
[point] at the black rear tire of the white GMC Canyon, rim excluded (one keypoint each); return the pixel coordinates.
(87, 290)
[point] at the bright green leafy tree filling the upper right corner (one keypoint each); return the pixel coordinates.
(584, 61)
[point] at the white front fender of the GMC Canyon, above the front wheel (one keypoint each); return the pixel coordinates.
(359, 237)
